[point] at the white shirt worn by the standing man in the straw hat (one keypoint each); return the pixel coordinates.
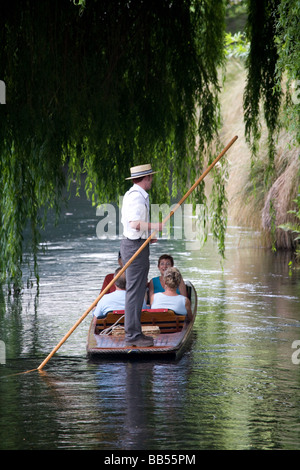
(135, 207)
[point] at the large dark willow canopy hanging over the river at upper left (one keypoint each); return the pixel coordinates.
(98, 89)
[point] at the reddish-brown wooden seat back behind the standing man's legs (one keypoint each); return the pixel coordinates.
(167, 320)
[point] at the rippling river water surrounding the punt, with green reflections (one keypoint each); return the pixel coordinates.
(236, 387)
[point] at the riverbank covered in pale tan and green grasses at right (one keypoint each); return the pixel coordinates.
(251, 203)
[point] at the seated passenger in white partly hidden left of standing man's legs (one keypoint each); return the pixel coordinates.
(114, 300)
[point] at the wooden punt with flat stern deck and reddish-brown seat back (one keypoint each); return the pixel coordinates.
(169, 330)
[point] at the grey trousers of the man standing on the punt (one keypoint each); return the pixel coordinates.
(136, 283)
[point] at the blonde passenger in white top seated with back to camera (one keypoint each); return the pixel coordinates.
(170, 299)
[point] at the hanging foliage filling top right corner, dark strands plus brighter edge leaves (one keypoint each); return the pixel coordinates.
(273, 32)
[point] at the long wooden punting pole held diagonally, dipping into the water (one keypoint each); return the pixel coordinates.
(135, 255)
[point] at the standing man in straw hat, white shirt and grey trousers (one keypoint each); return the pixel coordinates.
(136, 225)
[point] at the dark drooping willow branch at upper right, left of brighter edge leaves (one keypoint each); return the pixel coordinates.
(261, 86)
